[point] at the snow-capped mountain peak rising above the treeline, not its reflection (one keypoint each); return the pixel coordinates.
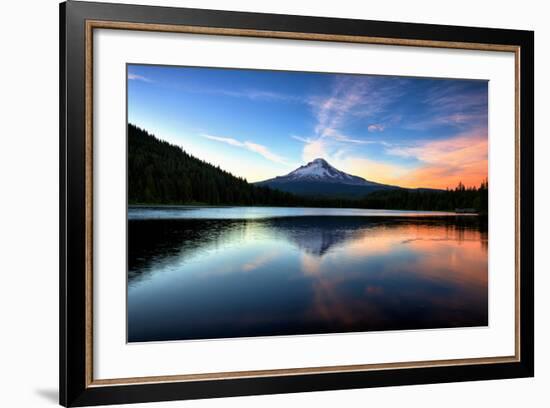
(319, 179)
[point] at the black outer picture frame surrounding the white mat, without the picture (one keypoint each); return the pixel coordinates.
(75, 388)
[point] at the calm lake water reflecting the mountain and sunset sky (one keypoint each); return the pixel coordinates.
(219, 272)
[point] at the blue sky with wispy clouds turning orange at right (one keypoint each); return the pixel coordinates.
(256, 124)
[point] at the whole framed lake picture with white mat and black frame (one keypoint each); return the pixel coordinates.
(255, 203)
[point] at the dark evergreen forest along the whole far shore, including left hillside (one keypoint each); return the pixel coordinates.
(161, 173)
